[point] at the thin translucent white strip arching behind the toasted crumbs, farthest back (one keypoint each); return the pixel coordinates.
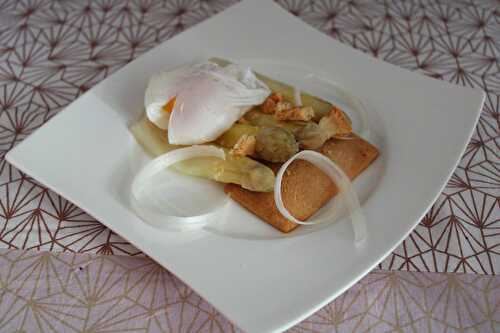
(355, 104)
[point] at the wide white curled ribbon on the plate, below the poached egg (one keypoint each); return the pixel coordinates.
(158, 210)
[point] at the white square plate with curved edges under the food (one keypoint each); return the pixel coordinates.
(268, 282)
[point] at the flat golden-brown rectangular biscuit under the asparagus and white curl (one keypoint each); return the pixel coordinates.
(305, 188)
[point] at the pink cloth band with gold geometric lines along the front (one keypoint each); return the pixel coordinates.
(49, 292)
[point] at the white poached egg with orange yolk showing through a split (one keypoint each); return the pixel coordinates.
(198, 103)
